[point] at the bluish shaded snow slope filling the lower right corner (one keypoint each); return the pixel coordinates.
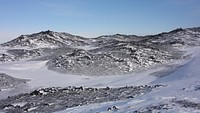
(180, 93)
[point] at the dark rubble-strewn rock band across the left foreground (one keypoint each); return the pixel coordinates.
(56, 99)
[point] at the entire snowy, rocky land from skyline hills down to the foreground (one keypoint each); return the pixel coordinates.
(59, 72)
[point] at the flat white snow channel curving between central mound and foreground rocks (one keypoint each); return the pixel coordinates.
(40, 76)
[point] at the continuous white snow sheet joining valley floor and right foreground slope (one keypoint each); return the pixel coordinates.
(179, 83)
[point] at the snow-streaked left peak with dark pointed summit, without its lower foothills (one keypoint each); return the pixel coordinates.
(46, 39)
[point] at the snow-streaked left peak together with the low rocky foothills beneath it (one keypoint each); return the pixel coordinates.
(35, 45)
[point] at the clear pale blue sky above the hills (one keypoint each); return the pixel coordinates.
(91, 18)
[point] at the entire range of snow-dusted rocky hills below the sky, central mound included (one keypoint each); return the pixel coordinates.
(105, 55)
